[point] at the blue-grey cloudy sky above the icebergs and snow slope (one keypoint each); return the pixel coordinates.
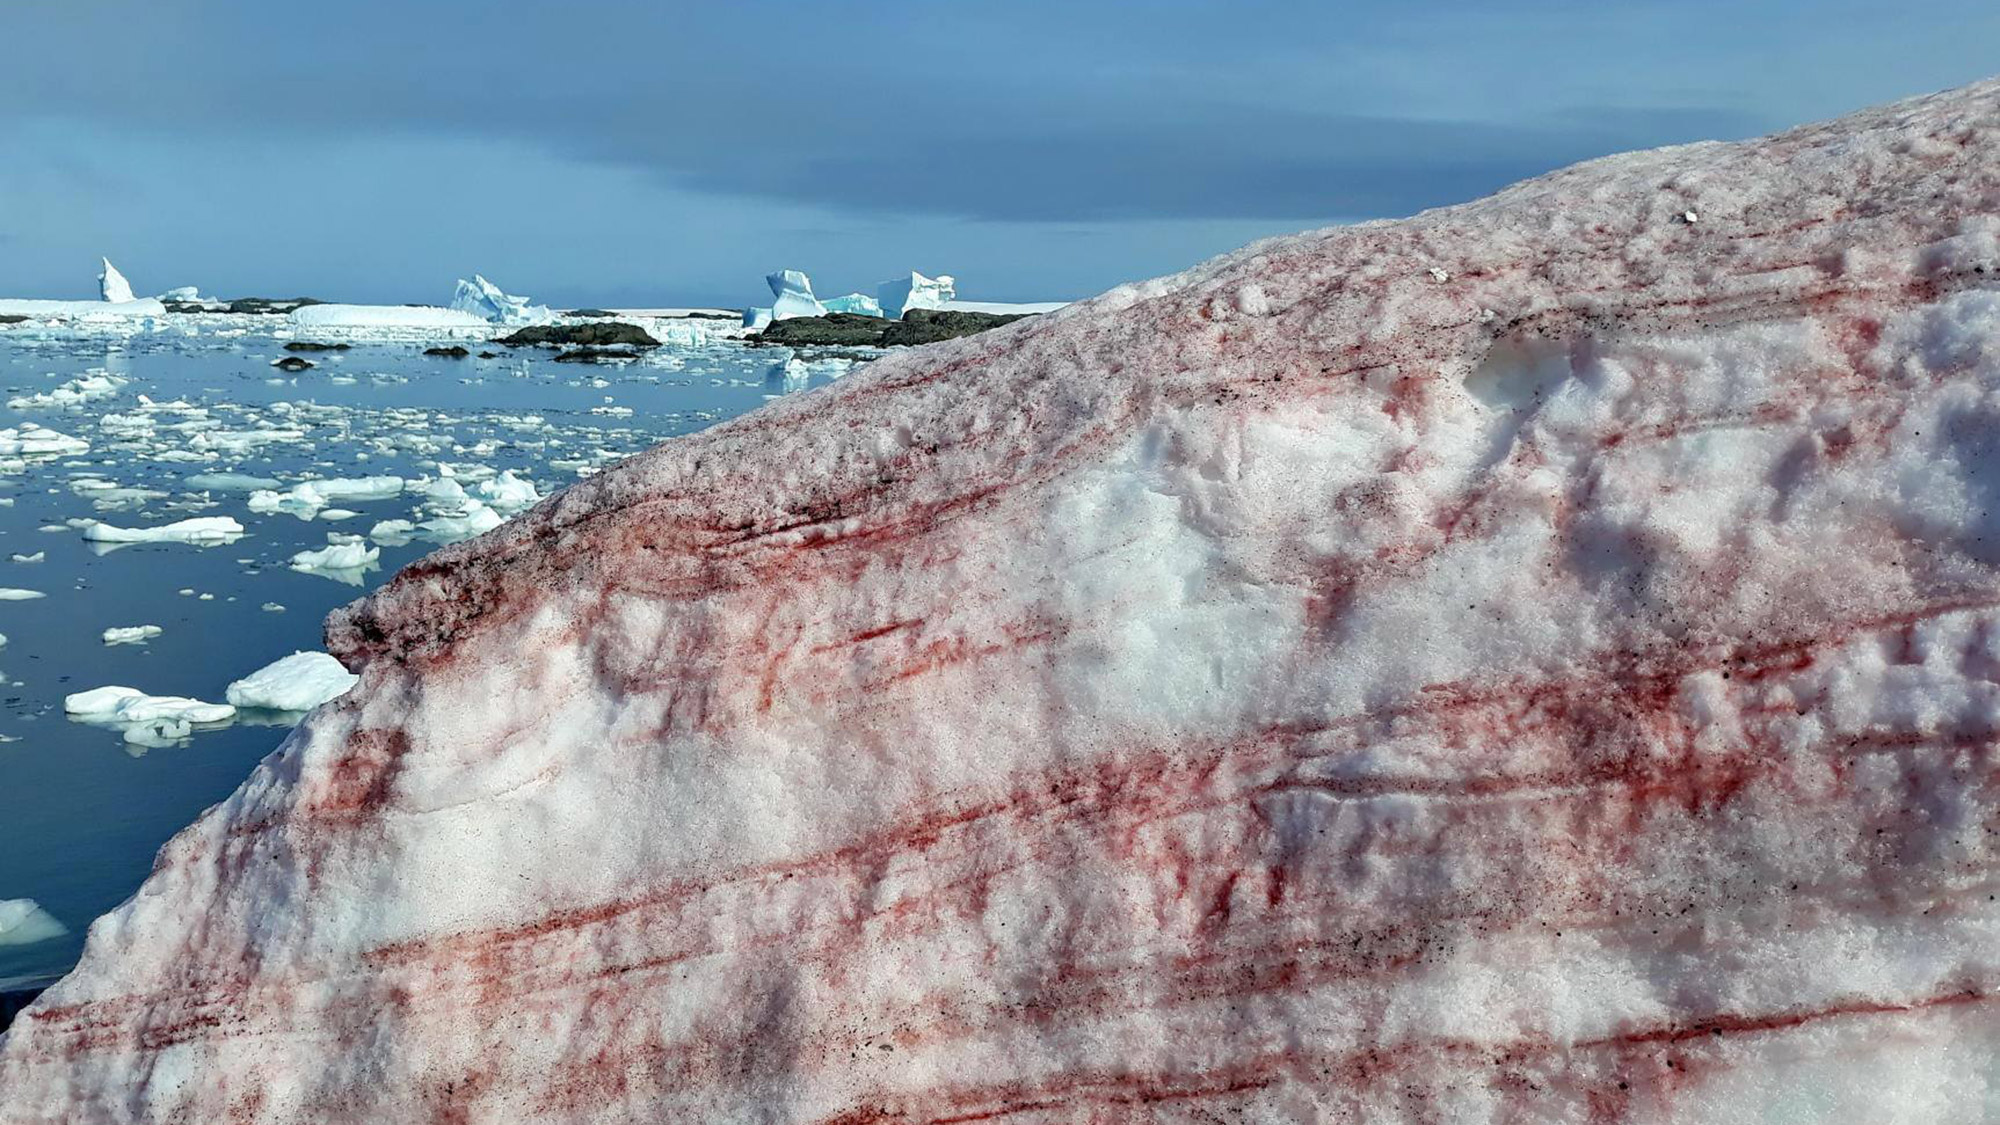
(661, 153)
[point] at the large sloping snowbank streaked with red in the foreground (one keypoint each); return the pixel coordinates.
(1537, 662)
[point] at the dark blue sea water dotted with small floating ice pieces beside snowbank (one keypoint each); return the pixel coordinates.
(83, 810)
